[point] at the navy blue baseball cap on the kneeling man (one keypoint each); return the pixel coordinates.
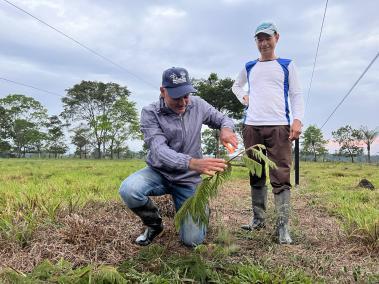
(177, 82)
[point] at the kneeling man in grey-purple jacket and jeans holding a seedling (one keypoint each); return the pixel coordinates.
(172, 132)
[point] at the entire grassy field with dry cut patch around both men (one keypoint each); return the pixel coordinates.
(62, 221)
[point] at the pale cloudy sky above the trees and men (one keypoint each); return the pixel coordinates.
(143, 38)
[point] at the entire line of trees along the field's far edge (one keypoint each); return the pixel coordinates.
(100, 119)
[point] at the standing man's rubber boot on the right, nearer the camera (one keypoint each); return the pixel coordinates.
(282, 206)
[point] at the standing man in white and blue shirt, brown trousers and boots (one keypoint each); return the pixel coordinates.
(273, 86)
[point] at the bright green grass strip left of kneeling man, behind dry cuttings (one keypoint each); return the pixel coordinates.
(63, 180)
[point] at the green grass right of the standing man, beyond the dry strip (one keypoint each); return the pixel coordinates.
(333, 186)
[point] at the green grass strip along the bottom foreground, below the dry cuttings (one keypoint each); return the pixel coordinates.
(156, 265)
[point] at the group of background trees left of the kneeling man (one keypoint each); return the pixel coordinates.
(99, 116)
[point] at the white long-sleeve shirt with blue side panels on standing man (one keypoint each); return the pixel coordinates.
(273, 87)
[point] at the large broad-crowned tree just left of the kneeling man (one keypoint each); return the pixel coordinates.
(100, 106)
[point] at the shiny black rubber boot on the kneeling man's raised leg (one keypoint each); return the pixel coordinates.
(149, 215)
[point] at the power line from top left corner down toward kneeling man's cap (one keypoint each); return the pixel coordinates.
(82, 45)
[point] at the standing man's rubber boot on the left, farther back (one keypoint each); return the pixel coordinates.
(259, 202)
